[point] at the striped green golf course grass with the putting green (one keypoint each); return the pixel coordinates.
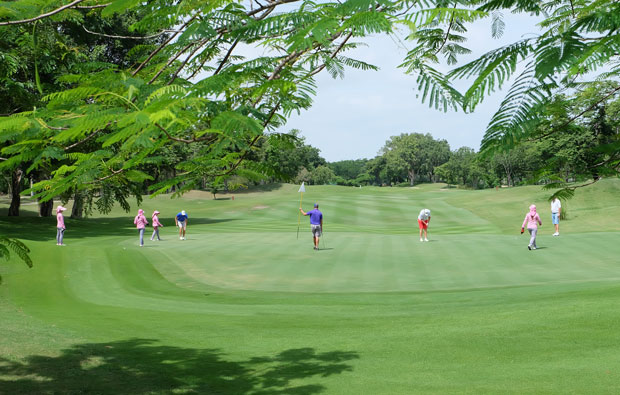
(244, 306)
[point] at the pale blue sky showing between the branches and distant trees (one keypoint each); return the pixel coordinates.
(352, 118)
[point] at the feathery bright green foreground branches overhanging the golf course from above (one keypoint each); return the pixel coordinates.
(224, 75)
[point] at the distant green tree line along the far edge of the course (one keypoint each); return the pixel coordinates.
(564, 148)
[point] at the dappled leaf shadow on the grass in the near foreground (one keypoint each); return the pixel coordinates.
(141, 366)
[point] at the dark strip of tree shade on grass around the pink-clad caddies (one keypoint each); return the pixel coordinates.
(44, 229)
